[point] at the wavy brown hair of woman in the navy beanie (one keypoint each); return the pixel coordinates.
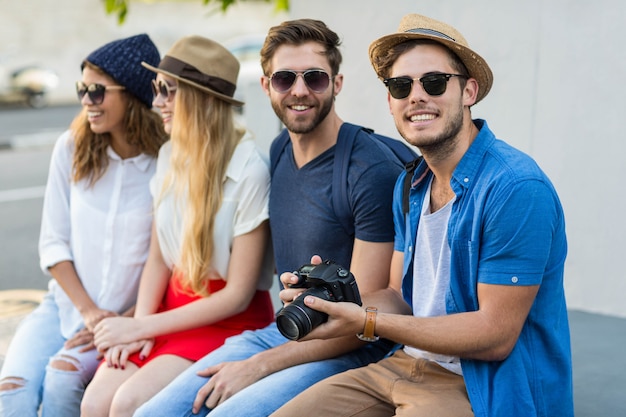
(144, 129)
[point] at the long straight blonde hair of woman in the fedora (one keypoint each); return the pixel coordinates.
(204, 139)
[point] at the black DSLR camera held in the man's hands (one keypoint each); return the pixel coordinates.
(327, 281)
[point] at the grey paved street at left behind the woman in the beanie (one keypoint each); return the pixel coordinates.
(26, 138)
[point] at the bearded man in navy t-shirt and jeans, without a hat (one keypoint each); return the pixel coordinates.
(255, 373)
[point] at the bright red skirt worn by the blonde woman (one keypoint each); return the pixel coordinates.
(194, 344)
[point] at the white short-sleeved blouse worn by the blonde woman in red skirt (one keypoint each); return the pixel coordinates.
(244, 208)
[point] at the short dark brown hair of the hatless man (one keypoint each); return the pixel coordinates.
(298, 32)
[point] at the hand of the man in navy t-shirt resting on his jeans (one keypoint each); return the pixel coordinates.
(227, 379)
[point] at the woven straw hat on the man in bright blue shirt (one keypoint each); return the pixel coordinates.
(415, 26)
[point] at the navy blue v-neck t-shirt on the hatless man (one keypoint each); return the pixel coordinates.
(302, 219)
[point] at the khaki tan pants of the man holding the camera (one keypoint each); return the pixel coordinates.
(396, 386)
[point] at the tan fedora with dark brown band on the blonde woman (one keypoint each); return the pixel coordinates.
(204, 64)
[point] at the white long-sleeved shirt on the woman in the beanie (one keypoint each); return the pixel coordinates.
(103, 229)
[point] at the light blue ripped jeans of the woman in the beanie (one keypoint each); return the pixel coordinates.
(36, 344)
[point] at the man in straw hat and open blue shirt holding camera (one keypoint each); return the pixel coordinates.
(479, 256)
